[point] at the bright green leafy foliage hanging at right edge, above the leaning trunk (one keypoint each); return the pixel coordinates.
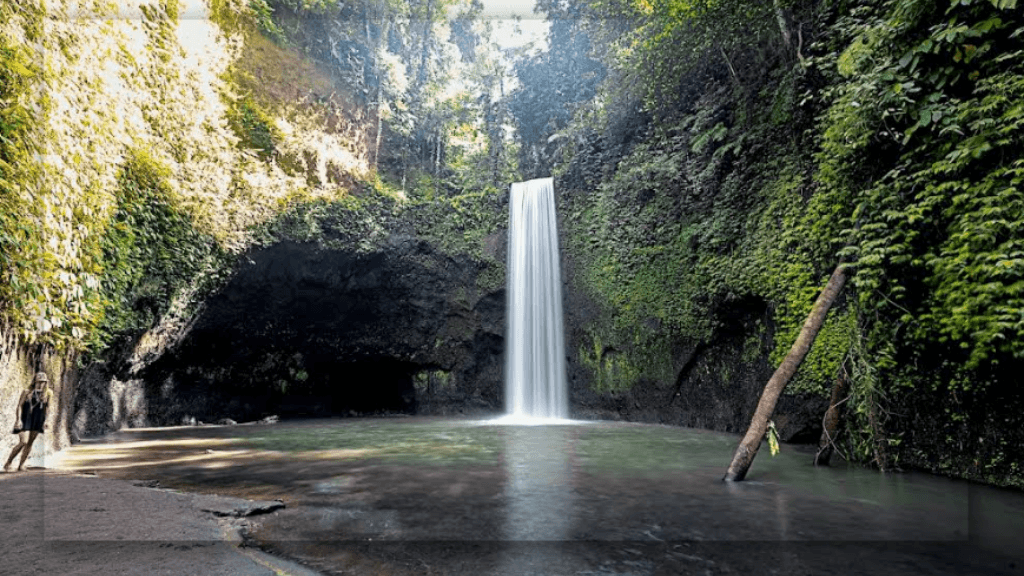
(933, 232)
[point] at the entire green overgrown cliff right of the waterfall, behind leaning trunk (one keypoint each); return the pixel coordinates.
(707, 203)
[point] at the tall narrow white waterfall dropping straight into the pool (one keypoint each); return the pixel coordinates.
(535, 363)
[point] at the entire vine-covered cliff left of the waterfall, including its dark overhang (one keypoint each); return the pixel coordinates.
(147, 161)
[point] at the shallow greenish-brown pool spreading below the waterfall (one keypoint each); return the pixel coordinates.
(593, 492)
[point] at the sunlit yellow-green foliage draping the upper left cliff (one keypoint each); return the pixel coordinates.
(122, 190)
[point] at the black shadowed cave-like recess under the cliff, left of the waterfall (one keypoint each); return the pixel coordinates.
(302, 331)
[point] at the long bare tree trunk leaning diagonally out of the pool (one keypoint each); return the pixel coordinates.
(748, 448)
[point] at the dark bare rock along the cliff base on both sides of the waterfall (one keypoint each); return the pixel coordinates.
(310, 328)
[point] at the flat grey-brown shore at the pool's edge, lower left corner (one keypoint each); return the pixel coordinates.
(56, 522)
